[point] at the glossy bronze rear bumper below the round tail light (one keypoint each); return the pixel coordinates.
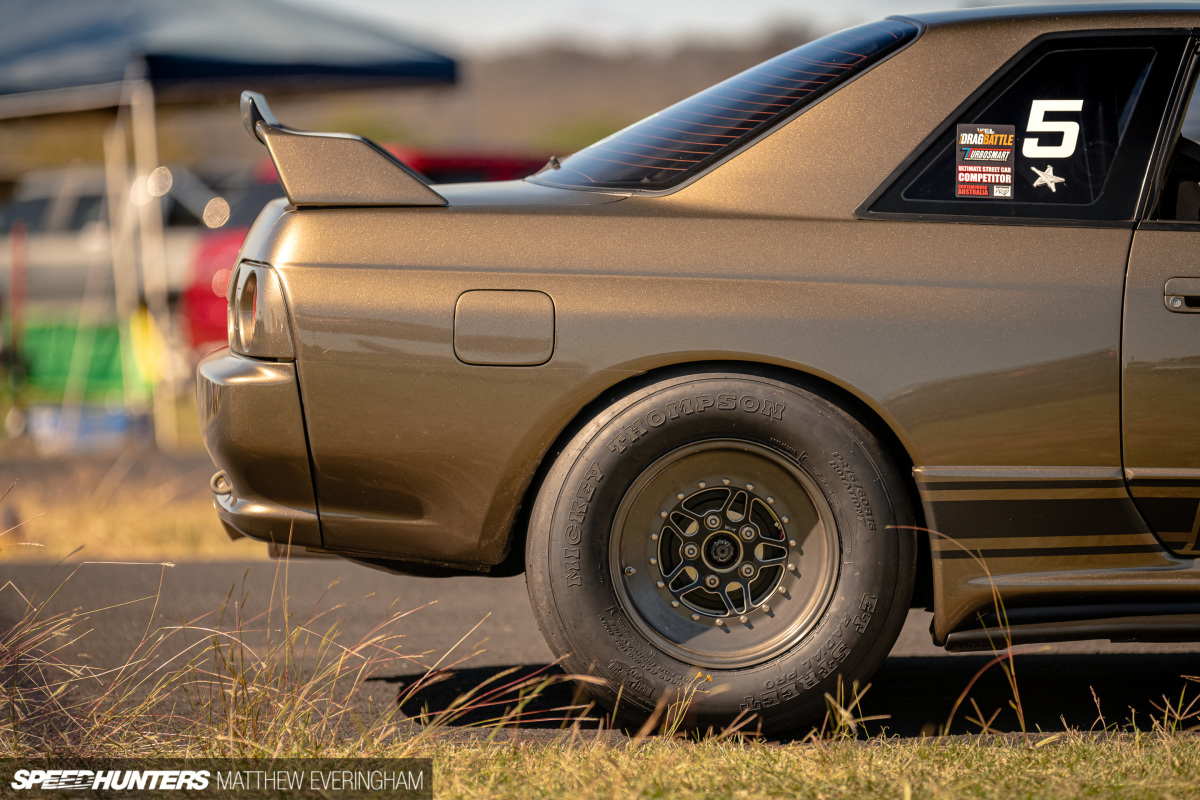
(254, 430)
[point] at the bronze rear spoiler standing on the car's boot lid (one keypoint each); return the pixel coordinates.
(333, 169)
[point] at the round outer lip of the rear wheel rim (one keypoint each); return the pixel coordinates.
(781, 643)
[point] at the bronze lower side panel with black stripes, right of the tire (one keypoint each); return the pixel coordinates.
(1041, 537)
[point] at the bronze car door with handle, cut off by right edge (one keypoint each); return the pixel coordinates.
(1161, 347)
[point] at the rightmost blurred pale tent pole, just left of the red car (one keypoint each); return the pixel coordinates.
(154, 262)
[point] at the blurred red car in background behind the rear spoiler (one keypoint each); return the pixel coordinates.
(217, 254)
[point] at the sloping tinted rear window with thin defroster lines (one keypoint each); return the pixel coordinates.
(669, 148)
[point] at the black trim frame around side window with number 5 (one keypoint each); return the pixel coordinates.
(891, 185)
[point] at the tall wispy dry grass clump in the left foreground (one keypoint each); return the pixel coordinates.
(278, 683)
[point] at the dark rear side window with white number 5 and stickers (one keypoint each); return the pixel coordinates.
(1066, 134)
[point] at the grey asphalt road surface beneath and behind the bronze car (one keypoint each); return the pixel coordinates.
(485, 627)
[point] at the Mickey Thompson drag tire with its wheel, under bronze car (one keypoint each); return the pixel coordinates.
(724, 526)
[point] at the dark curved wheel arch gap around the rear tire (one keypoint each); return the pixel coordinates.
(893, 446)
